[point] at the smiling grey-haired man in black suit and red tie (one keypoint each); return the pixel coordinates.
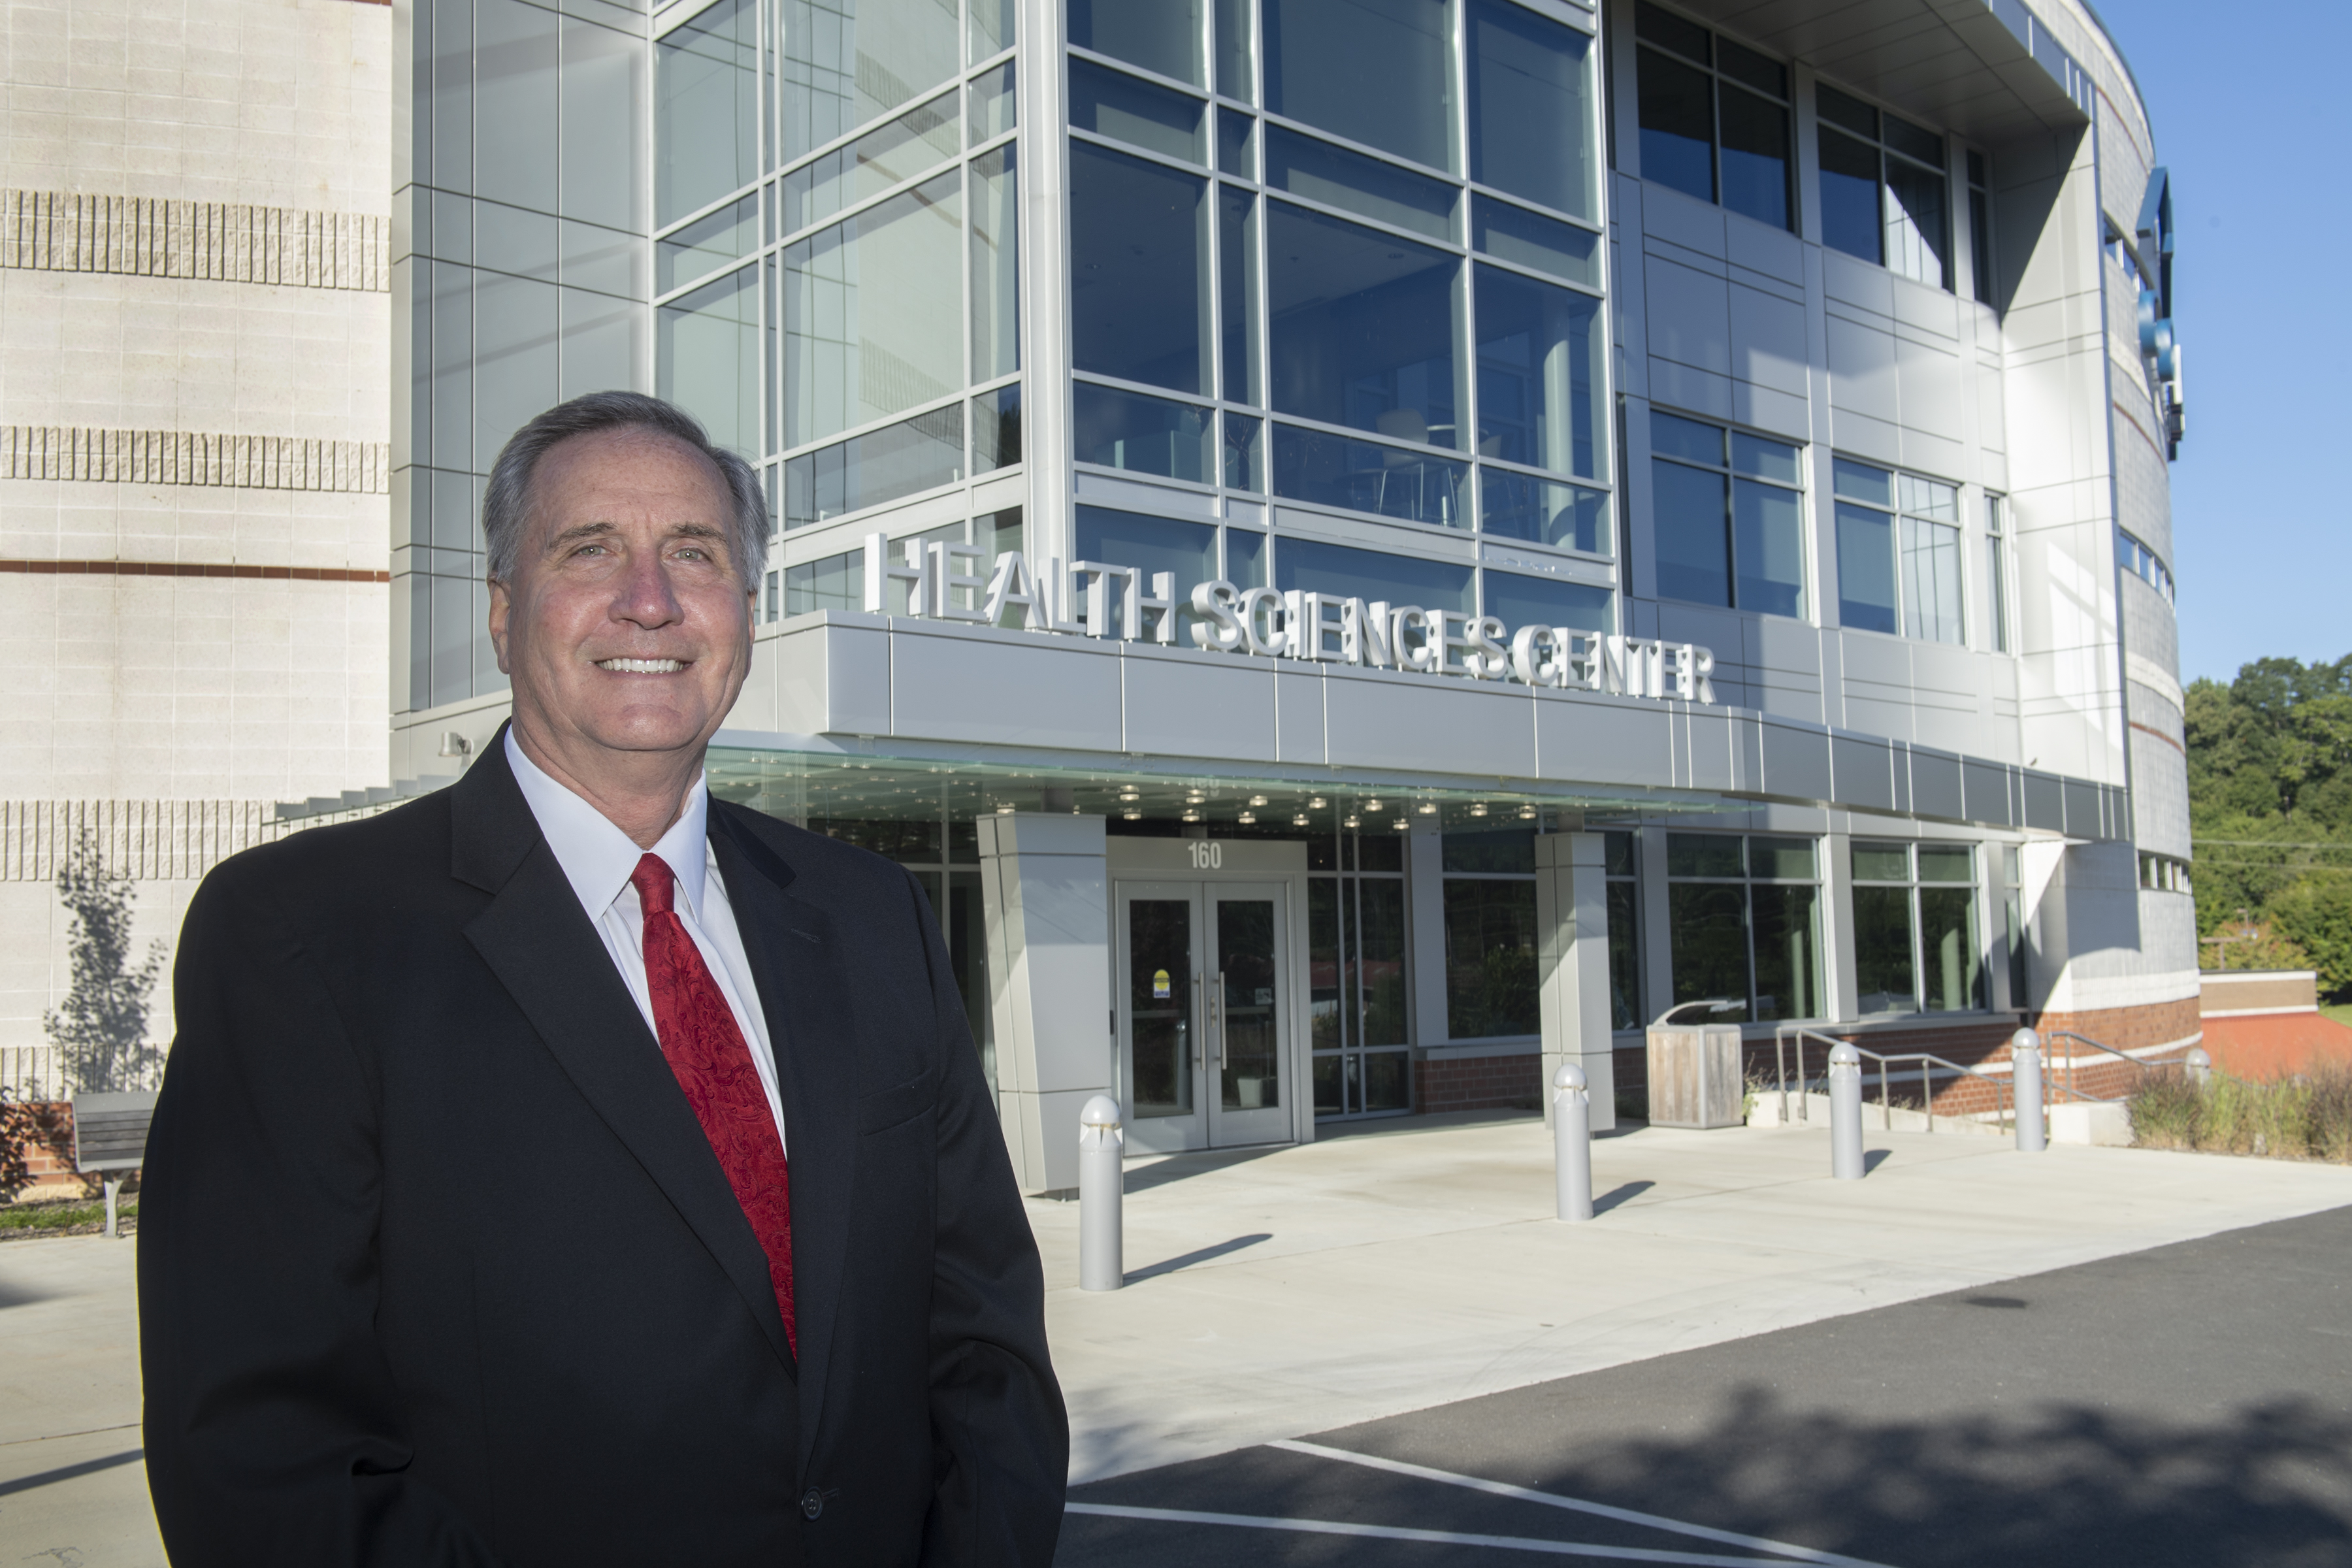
(570, 1167)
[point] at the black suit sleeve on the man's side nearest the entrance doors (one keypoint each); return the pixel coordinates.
(1001, 1438)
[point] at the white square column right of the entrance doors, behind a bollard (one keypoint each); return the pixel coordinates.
(1572, 965)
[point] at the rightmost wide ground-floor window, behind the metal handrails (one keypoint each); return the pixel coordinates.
(1916, 934)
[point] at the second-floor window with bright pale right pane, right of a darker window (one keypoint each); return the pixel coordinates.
(1897, 554)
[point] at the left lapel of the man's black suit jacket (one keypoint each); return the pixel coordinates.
(537, 939)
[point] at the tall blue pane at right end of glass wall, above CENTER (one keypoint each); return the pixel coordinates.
(1539, 366)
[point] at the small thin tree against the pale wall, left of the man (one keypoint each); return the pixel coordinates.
(102, 1028)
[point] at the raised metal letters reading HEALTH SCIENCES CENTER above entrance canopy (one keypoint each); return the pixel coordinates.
(944, 582)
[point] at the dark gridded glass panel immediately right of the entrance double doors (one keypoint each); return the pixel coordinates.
(1356, 977)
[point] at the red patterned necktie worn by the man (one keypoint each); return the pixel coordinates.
(714, 1066)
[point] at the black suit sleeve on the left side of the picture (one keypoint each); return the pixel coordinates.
(274, 1433)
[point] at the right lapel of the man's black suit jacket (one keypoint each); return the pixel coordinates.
(813, 1024)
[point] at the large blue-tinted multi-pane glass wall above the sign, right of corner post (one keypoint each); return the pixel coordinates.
(1347, 255)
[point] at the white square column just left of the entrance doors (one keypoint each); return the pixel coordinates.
(1045, 892)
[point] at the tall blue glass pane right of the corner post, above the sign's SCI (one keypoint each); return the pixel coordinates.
(1140, 272)
